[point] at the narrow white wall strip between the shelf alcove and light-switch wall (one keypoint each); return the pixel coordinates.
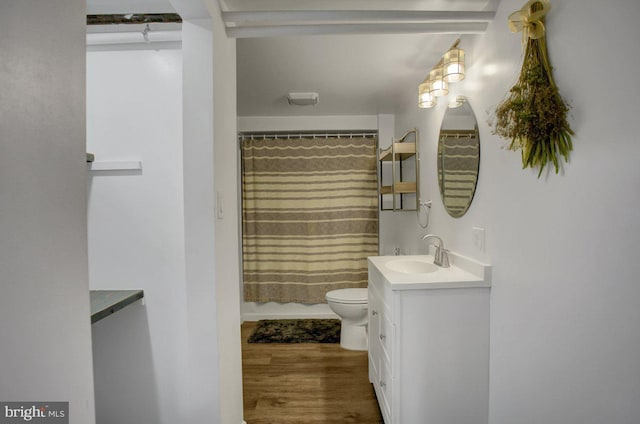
(202, 386)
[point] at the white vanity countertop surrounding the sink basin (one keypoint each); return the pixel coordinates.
(464, 272)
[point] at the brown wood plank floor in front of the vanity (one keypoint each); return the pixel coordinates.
(308, 383)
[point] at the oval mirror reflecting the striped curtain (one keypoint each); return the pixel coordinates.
(458, 158)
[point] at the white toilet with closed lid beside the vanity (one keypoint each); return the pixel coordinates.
(351, 305)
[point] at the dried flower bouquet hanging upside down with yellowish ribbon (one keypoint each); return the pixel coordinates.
(534, 115)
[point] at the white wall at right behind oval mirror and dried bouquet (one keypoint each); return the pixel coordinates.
(565, 302)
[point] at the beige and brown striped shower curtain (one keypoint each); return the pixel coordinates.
(310, 216)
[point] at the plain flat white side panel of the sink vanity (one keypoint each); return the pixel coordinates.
(443, 356)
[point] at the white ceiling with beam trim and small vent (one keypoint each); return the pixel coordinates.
(361, 62)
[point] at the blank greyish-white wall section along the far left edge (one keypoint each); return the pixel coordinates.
(45, 352)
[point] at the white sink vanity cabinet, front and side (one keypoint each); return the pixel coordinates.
(428, 348)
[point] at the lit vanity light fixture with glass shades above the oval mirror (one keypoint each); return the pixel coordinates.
(450, 68)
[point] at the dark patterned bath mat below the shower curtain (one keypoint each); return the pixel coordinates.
(296, 331)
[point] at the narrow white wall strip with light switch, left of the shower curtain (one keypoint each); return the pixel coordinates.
(226, 227)
